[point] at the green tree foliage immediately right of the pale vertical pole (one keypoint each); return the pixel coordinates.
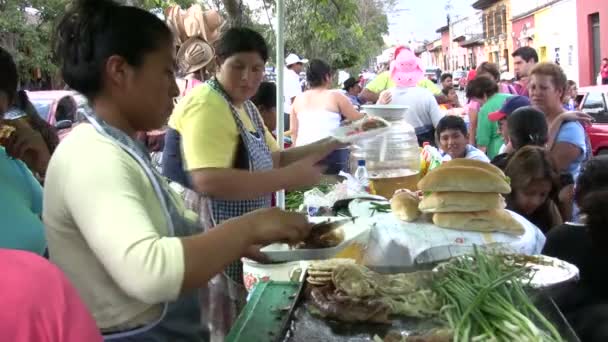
(345, 33)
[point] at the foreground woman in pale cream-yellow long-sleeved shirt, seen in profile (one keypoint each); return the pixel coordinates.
(114, 225)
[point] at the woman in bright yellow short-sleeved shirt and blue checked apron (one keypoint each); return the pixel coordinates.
(233, 163)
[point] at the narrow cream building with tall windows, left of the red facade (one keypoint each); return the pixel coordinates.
(497, 29)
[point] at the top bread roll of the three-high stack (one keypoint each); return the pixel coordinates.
(463, 179)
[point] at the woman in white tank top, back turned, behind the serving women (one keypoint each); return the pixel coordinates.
(320, 110)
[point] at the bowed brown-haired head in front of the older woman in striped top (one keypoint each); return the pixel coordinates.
(533, 179)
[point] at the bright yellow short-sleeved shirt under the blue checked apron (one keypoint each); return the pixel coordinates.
(210, 135)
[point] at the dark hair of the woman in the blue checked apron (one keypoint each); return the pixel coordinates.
(240, 39)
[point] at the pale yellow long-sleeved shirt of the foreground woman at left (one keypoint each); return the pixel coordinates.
(107, 232)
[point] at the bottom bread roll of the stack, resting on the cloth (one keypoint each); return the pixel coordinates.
(498, 220)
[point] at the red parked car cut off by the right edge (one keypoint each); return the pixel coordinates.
(594, 101)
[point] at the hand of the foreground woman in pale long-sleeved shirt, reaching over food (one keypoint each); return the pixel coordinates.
(274, 225)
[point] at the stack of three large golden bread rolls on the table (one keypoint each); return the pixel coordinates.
(466, 194)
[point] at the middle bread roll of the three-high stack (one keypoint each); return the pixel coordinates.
(447, 202)
